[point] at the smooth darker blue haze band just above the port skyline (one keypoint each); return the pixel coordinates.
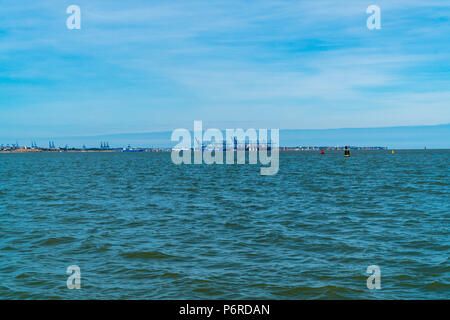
(393, 137)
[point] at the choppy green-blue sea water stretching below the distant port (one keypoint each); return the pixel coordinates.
(140, 227)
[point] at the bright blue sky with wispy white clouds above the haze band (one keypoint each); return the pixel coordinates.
(142, 66)
